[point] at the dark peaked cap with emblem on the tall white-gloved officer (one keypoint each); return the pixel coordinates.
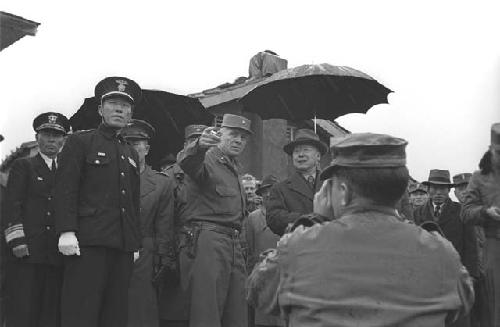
(118, 87)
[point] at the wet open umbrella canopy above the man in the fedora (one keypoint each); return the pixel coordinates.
(314, 91)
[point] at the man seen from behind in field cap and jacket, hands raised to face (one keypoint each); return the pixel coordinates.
(362, 269)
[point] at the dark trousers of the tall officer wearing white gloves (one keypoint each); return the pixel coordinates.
(95, 288)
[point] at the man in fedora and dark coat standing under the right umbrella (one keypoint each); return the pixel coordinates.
(293, 197)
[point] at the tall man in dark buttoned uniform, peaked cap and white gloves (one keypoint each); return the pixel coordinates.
(97, 205)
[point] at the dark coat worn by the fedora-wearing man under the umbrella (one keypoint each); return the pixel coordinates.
(289, 200)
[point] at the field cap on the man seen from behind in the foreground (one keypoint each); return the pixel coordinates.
(367, 150)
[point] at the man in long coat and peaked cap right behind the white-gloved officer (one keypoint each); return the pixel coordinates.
(157, 218)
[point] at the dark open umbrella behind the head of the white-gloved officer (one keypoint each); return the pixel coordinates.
(168, 113)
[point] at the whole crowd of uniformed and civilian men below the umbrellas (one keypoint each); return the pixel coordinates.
(98, 238)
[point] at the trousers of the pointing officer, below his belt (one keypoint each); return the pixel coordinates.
(213, 281)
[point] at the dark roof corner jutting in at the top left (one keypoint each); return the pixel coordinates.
(13, 28)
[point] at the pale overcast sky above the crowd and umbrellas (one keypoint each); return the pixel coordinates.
(442, 59)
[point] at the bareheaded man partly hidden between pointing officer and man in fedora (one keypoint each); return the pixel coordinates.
(260, 238)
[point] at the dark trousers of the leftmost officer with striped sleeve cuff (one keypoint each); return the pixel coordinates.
(33, 293)
